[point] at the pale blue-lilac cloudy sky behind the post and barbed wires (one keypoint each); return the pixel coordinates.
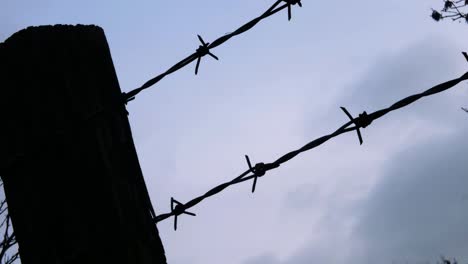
(401, 197)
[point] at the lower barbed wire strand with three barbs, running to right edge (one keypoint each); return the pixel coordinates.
(260, 169)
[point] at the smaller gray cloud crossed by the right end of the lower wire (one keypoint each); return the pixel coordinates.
(418, 67)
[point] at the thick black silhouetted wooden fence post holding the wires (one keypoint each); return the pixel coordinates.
(72, 180)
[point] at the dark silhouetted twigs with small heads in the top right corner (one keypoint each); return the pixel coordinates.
(456, 10)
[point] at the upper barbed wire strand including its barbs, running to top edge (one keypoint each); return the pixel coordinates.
(205, 47)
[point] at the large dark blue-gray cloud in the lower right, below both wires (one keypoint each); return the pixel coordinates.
(415, 213)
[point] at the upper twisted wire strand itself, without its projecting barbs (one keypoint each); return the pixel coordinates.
(194, 56)
